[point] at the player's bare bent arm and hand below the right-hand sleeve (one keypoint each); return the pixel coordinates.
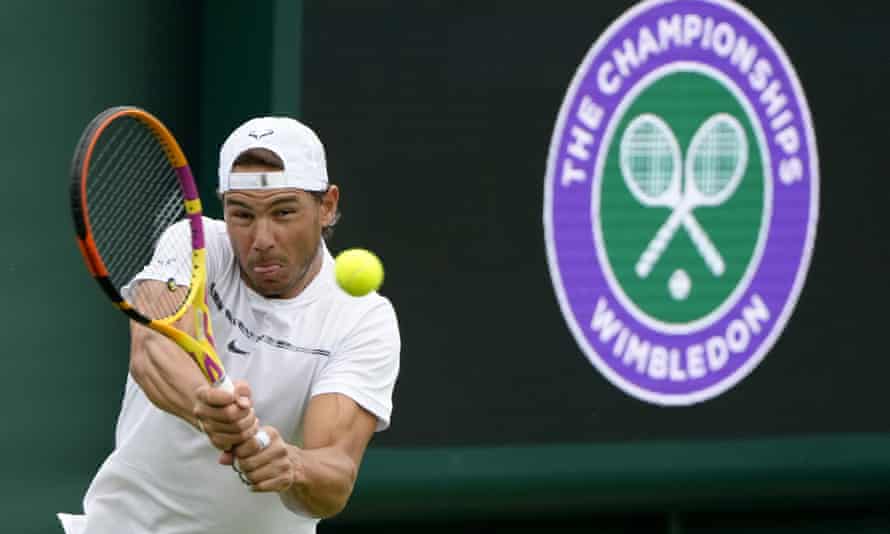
(320, 476)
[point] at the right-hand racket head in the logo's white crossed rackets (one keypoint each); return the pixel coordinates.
(716, 160)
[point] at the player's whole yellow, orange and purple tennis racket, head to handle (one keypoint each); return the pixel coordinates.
(138, 221)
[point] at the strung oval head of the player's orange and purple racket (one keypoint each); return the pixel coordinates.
(129, 185)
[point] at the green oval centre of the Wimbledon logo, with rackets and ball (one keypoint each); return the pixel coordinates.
(678, 263)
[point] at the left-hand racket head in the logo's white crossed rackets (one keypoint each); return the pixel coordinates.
(651, 161)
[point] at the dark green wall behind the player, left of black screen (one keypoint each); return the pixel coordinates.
(200, 67)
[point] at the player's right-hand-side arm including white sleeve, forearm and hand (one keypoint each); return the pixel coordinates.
(318, 477)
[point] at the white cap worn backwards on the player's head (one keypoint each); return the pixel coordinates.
(297, 146)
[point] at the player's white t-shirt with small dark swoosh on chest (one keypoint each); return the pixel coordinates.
(163, 477)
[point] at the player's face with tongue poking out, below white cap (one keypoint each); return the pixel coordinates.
(276, 235)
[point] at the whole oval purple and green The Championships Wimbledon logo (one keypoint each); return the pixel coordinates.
(681, 199)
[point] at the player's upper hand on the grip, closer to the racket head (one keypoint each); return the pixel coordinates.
(227, 419)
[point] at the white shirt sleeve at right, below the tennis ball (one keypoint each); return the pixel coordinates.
(366, 365)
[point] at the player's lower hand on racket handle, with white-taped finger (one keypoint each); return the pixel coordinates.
(273, 468)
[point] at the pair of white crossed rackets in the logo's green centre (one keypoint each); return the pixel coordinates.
(654, 171)
